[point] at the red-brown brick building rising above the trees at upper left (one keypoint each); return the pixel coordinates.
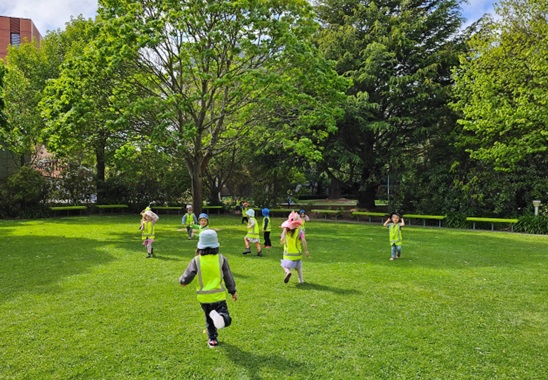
(14, 31)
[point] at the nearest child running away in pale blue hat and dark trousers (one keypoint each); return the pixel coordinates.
(214, 279)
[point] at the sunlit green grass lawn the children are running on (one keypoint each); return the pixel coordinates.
(79, 300)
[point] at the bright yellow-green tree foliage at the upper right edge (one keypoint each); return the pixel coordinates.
(500, 87)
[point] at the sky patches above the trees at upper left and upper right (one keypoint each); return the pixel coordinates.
(54, 14)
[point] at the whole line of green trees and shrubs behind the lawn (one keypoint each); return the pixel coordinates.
(171, 101)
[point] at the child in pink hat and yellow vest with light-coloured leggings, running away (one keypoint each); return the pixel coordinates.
(294, 244)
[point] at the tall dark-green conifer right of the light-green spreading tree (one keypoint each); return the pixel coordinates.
(398, 54)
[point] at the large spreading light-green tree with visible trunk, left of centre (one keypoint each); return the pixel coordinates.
(214, 72)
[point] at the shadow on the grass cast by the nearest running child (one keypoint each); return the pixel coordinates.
(255, 363)
